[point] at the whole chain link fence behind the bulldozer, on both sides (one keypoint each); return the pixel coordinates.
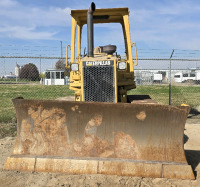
(43, 77)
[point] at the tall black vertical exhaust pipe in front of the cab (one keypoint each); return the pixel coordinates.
(90, 29)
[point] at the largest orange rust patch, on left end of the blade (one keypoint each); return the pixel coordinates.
(44, 132)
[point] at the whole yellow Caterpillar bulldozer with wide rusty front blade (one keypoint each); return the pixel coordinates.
(103, 130)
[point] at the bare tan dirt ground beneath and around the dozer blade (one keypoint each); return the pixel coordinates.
(16, 179)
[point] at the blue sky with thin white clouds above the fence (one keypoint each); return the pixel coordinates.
(154, 24)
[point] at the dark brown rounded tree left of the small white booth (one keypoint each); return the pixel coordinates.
(29, 72)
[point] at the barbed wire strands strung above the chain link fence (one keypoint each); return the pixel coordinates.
(56, 51)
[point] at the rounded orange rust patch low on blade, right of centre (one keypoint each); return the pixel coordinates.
(125, 146)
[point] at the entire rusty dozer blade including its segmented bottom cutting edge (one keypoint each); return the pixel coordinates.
(143, 140)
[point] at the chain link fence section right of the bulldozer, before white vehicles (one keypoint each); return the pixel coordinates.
(185, 82)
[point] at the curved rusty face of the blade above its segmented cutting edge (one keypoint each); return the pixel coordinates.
(66, 129)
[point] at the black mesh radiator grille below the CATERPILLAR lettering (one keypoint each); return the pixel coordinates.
(98, 82)
